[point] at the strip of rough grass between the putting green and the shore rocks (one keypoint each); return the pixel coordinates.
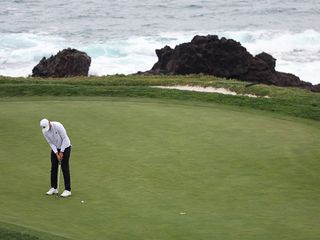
(290, 101)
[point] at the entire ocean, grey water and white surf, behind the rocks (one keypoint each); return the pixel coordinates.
(121, 36)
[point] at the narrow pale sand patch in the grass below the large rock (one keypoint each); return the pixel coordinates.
(208, 90)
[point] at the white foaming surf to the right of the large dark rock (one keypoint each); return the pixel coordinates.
(296, 53)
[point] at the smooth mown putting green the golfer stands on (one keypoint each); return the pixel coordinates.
(147, 169)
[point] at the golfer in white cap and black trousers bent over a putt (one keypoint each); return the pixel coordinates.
(57, 137)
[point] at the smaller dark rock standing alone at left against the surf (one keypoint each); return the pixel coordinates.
(67, 63)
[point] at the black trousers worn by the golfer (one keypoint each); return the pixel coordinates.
(64, 167)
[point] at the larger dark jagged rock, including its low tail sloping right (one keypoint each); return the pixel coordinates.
(222, 58)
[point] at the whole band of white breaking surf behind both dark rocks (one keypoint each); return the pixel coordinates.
(297, 53)
